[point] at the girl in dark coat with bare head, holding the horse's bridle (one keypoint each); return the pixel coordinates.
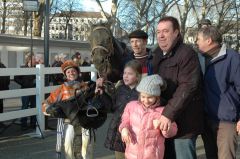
(125, 93)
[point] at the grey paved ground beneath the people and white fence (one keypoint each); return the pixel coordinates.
(18, 144)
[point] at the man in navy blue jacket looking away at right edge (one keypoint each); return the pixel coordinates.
(222, 94)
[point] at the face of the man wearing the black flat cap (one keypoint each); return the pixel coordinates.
(138, 46)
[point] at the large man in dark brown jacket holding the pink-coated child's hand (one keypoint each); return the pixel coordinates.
(178, 65)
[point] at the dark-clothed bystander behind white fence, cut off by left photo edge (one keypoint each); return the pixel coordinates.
(5, 81)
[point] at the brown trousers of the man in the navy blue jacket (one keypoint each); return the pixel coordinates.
(220, 140)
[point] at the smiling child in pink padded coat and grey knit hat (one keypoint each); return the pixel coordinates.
(140, 122)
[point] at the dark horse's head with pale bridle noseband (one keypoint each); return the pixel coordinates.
(101, 41)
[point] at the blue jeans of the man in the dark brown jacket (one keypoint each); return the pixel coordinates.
(185, 148)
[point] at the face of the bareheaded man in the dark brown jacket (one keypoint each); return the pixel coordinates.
(166, 35)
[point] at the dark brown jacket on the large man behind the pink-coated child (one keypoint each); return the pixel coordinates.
(180, 69)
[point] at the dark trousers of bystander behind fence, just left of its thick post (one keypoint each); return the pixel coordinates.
(28, 102)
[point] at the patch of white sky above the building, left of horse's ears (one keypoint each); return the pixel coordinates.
(91, 5)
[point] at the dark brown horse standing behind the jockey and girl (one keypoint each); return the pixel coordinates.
(109, 55)
